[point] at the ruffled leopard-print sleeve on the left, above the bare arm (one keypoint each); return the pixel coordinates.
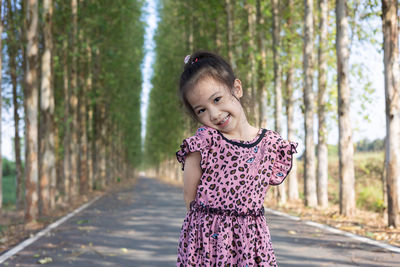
(201, 142)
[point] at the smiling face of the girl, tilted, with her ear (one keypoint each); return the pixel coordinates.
(216, 106)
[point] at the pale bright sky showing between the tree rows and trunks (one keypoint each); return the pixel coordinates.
(361, 52)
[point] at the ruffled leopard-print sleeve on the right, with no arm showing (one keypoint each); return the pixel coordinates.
(283, 161)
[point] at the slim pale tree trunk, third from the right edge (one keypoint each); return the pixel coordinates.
(322, 162)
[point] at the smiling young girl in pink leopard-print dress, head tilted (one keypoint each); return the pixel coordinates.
(228, 165)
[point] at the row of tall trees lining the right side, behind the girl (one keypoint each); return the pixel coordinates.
(278, 48)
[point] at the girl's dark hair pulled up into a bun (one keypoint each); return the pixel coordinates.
(203, 64)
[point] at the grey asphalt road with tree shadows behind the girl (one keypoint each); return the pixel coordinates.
(139, 226)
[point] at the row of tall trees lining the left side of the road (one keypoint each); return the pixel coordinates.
(74, 67)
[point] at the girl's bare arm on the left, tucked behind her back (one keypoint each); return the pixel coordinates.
(191, 177)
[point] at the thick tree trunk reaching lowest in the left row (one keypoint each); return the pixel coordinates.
(31, 111)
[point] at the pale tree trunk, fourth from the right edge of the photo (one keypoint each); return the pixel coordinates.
(310, 191)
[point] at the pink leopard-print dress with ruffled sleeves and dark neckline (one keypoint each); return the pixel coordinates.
(225, 225)
